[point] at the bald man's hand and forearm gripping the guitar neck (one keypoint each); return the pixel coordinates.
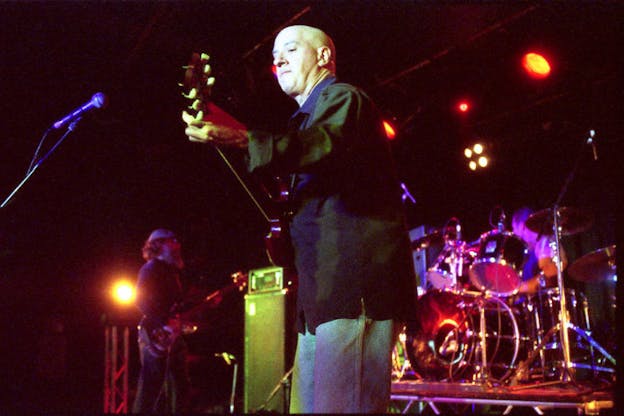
(199, 130)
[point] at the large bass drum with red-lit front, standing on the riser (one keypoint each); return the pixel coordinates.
(443, 342)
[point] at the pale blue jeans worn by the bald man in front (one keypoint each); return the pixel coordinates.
(345, 367)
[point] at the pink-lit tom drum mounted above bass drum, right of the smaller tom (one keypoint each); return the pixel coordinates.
(498, 266)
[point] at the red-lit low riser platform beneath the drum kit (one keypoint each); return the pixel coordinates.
(414, 395)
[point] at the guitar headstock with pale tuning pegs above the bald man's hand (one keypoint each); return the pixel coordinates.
(197, 82)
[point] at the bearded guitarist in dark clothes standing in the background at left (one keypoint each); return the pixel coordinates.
(164, 384)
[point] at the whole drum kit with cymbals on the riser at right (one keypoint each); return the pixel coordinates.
(471, 324)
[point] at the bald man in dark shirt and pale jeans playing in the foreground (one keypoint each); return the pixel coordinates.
(356, 284)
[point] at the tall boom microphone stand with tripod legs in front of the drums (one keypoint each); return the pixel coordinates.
(568, 370)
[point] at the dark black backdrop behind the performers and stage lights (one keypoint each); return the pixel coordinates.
(80, 220)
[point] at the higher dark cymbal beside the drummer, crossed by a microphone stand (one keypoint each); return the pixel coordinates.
(572, 221)
